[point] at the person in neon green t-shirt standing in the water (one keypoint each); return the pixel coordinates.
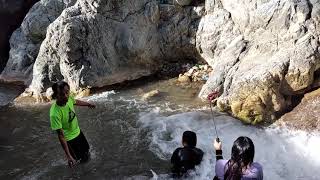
(64, 120)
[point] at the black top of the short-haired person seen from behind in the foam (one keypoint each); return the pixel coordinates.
(184, 159)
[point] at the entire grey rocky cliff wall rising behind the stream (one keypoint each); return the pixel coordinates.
(263, 53)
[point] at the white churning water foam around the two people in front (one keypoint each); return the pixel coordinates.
(284, 154)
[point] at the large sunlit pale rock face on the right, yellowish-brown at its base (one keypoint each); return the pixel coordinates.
(266, 53)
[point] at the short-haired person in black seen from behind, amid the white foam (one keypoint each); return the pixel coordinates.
(187, 157)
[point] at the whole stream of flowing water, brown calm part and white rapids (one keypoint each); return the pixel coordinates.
(134, 139)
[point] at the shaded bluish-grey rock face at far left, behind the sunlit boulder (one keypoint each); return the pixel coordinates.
(26, 40)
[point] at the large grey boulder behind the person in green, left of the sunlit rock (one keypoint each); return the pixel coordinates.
(98, 43)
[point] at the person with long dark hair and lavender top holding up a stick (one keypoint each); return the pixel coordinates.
(241, 165)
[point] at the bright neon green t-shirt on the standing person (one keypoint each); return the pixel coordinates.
(64, 117)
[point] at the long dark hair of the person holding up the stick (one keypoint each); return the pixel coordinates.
(242, 154)
